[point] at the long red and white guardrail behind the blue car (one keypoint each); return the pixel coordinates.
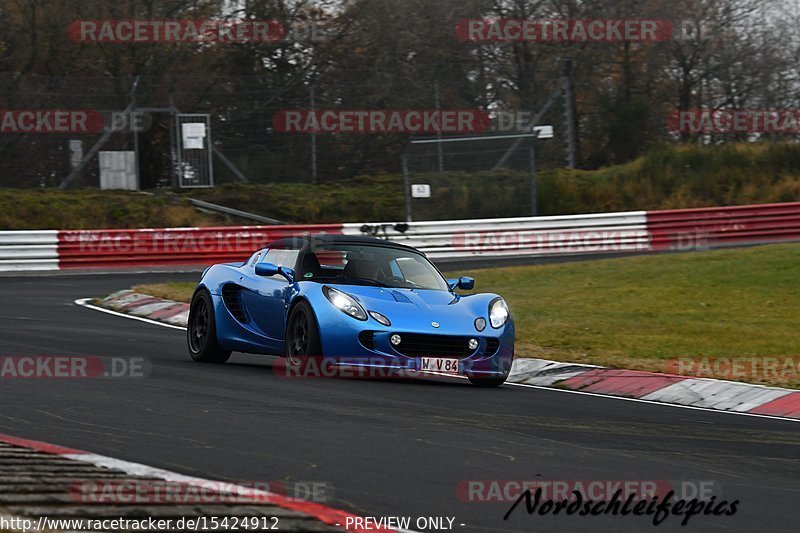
(605, 233)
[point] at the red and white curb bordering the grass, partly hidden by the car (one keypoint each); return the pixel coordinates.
(700, 393)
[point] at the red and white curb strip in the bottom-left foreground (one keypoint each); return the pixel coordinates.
(323, 513)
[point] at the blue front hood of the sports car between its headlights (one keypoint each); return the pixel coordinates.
(416, 309)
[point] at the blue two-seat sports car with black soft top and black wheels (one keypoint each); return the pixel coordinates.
(356, 301)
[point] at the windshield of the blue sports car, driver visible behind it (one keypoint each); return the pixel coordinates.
(370, 265)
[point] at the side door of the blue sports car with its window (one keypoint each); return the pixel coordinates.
(266, 298)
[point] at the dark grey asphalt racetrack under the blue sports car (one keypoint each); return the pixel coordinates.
(388, 448)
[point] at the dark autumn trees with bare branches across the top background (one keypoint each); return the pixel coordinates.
(391, 54)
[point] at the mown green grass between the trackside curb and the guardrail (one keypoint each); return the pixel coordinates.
(643, 312)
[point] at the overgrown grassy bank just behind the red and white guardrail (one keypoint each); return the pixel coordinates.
(667, 177)
